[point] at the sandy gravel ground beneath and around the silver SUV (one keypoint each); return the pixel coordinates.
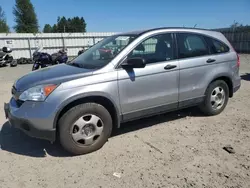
(180, 149)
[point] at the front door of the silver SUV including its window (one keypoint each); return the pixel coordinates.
(154, 88)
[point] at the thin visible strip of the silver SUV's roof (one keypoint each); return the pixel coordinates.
(139, 32)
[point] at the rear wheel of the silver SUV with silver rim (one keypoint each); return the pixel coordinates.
(210, 98)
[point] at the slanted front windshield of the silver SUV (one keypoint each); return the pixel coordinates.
(103, 52)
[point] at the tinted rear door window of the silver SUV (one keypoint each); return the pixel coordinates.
(191, 45)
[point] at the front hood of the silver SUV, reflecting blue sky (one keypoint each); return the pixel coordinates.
(51, 75)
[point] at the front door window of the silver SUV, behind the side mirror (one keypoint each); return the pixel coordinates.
(155, 49)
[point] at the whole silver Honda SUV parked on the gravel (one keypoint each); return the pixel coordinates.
(122, 78)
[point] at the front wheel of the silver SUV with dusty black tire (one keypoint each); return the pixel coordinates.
(68, 126)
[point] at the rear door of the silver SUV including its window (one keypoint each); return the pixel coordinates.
(196, 63)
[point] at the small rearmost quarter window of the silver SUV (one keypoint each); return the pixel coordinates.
(217, 47)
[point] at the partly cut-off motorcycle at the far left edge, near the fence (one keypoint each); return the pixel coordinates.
(7, 58)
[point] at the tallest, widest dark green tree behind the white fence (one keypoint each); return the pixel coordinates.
(25, 17)
